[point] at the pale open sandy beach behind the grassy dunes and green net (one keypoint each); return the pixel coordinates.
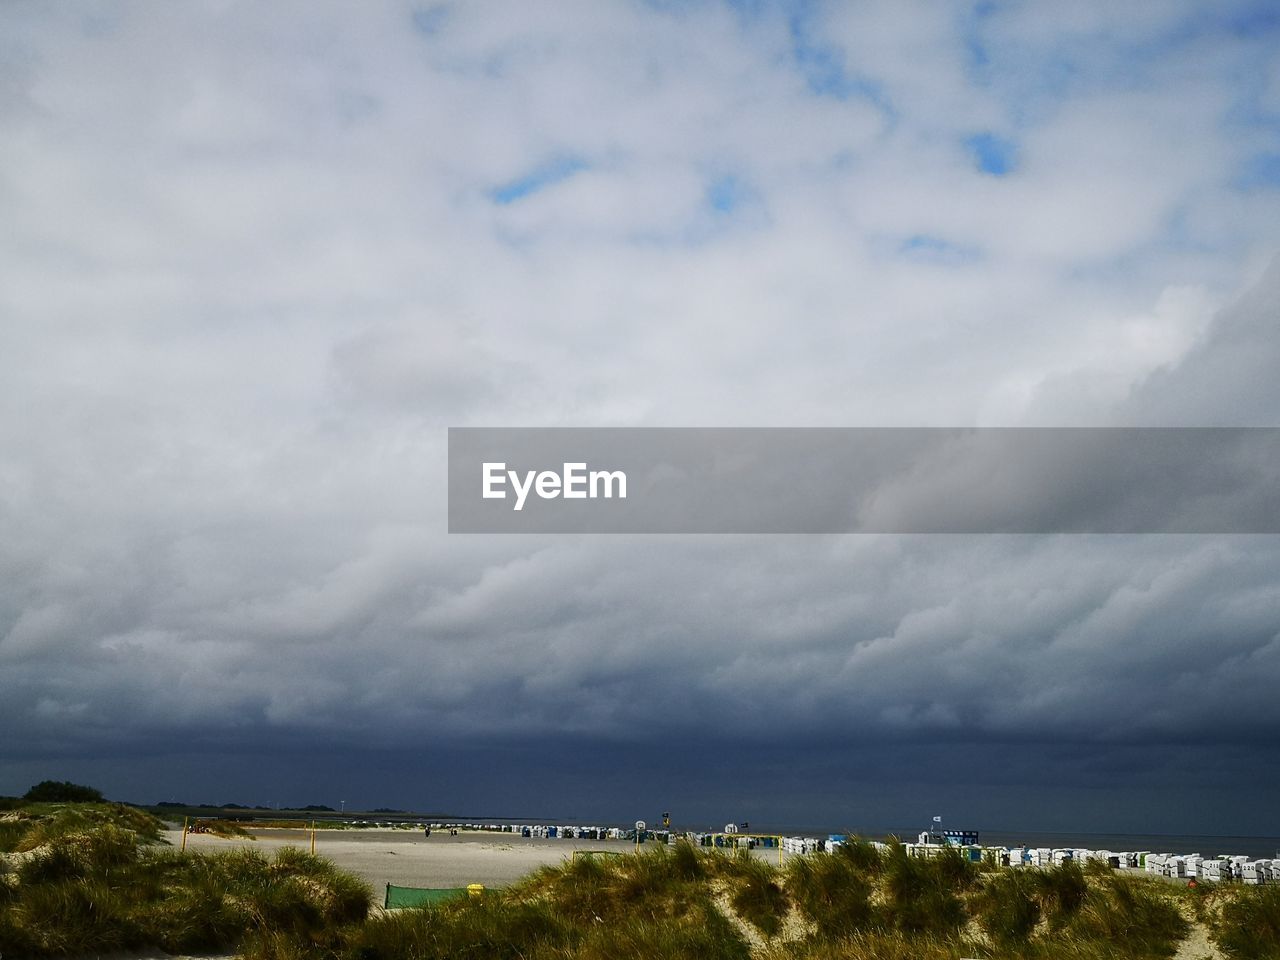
(406, 858)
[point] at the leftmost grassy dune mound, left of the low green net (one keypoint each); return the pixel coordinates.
(107, 890)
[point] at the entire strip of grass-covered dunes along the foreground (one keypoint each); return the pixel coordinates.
(88, 879)
